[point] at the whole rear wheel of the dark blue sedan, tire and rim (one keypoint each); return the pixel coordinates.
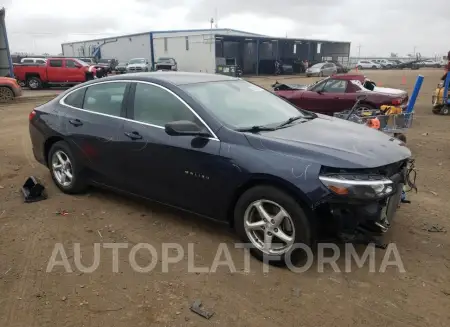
(65, 170)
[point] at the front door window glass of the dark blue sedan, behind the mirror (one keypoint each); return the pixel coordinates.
(155, 105)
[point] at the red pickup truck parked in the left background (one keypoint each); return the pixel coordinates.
(56, 71)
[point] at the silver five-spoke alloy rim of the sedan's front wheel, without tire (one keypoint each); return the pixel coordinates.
(269, 227)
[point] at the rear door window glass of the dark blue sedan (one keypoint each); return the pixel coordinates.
(105, 98)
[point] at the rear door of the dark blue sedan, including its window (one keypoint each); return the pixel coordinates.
(93, 119)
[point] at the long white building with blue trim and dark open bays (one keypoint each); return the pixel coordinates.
(202, 50)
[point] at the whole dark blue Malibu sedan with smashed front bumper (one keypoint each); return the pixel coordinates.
(226, 149)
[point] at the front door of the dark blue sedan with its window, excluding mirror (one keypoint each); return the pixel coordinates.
(178, 170)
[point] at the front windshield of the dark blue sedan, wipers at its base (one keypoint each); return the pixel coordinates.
(241, 104)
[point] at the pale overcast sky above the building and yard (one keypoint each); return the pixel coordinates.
(375, 28)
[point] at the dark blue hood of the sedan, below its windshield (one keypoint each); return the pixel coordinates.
(333, 142)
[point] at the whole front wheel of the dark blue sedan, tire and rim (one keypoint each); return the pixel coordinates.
(273, 223)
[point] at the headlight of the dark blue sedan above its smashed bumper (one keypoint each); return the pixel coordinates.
(358, 186)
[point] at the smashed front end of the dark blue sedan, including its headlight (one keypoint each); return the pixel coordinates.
(364, 216)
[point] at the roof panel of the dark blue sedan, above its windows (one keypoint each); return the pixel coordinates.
(176, 78)
